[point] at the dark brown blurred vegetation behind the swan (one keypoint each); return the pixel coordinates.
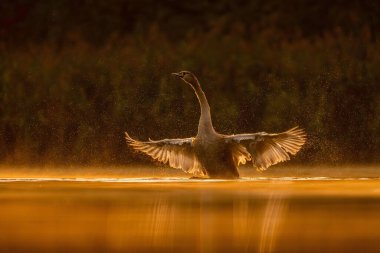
(74, 75)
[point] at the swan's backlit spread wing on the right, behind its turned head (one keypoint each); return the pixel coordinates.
(266, 149)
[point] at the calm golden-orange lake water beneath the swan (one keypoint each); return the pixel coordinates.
(174, 214)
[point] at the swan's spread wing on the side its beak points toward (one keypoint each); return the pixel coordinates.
(177, 153)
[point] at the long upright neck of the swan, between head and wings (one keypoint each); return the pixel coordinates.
(205, 123)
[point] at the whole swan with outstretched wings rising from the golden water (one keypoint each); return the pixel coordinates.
(216, 155)
